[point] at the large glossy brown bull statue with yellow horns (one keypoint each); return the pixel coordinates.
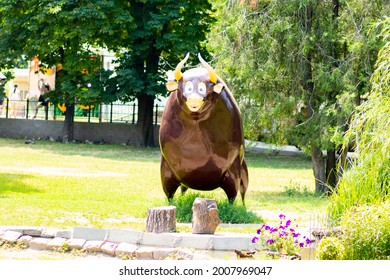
(201, 135)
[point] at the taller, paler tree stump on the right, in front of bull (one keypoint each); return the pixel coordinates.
(204, 216)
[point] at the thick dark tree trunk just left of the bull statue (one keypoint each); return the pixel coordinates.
(145, 137)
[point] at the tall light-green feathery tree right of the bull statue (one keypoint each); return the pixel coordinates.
(299, 69)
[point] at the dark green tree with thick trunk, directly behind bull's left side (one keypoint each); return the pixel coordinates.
(165, 30)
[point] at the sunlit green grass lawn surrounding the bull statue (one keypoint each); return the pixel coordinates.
(65, 185)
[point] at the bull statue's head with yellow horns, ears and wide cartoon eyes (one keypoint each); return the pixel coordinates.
(195, 84)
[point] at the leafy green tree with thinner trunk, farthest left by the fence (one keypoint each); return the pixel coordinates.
(63, 33)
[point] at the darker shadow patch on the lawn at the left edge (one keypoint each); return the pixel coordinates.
(14, 183)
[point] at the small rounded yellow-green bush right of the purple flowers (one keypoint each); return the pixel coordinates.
(330, 248)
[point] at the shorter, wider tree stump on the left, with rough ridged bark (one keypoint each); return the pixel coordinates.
(161, 219)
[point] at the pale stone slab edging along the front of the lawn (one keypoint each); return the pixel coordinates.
(122, 243)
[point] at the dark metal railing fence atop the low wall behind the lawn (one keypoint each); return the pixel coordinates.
(117, 112)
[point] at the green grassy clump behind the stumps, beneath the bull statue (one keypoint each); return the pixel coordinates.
(227, 212)
